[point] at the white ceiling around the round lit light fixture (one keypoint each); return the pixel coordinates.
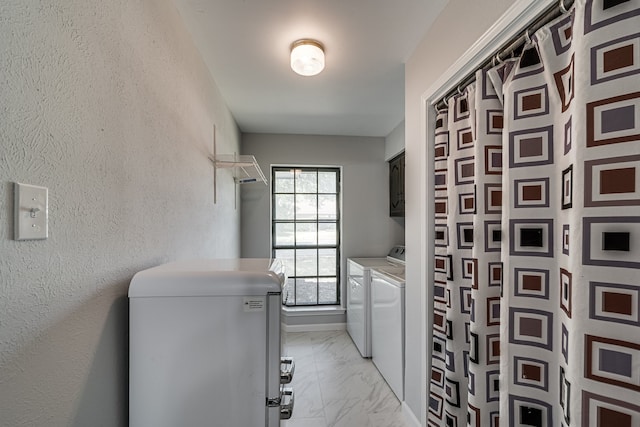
(246, 44)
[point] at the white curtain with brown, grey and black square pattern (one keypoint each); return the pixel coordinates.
(536, 290)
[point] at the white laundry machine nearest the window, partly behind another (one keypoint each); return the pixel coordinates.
(359, 296)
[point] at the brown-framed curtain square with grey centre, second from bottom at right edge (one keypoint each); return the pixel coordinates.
(612, 361)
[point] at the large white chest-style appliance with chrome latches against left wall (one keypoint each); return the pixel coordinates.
(205, 345)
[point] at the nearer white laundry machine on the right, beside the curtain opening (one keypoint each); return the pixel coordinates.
(387, 325)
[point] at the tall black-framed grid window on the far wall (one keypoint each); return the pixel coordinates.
(305, 220)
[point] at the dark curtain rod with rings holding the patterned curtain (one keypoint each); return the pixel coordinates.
(508, 48)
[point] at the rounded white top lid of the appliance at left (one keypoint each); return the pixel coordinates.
(210, 277)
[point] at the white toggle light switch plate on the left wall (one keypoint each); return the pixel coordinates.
(31, 212)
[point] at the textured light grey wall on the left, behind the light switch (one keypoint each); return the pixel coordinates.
(108, 104)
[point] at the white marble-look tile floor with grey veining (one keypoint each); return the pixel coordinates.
(335, 387)
